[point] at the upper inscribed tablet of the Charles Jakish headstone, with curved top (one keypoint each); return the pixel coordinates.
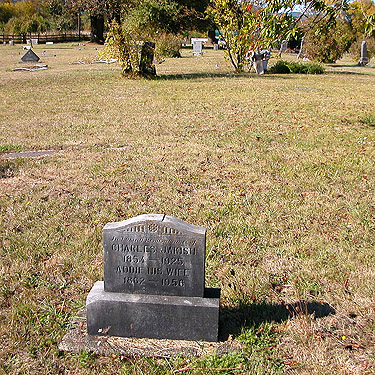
(154, 254)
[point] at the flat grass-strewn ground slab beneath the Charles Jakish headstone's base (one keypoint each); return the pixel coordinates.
(77, 340)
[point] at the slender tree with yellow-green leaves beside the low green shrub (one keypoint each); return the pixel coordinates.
(254, 25)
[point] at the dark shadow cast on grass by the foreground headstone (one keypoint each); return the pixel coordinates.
(232, 320)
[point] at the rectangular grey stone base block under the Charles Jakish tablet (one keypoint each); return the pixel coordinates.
(153, 316)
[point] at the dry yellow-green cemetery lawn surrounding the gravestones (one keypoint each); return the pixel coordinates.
(279, 169)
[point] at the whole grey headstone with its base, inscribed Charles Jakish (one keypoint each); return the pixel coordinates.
(153, 282)
